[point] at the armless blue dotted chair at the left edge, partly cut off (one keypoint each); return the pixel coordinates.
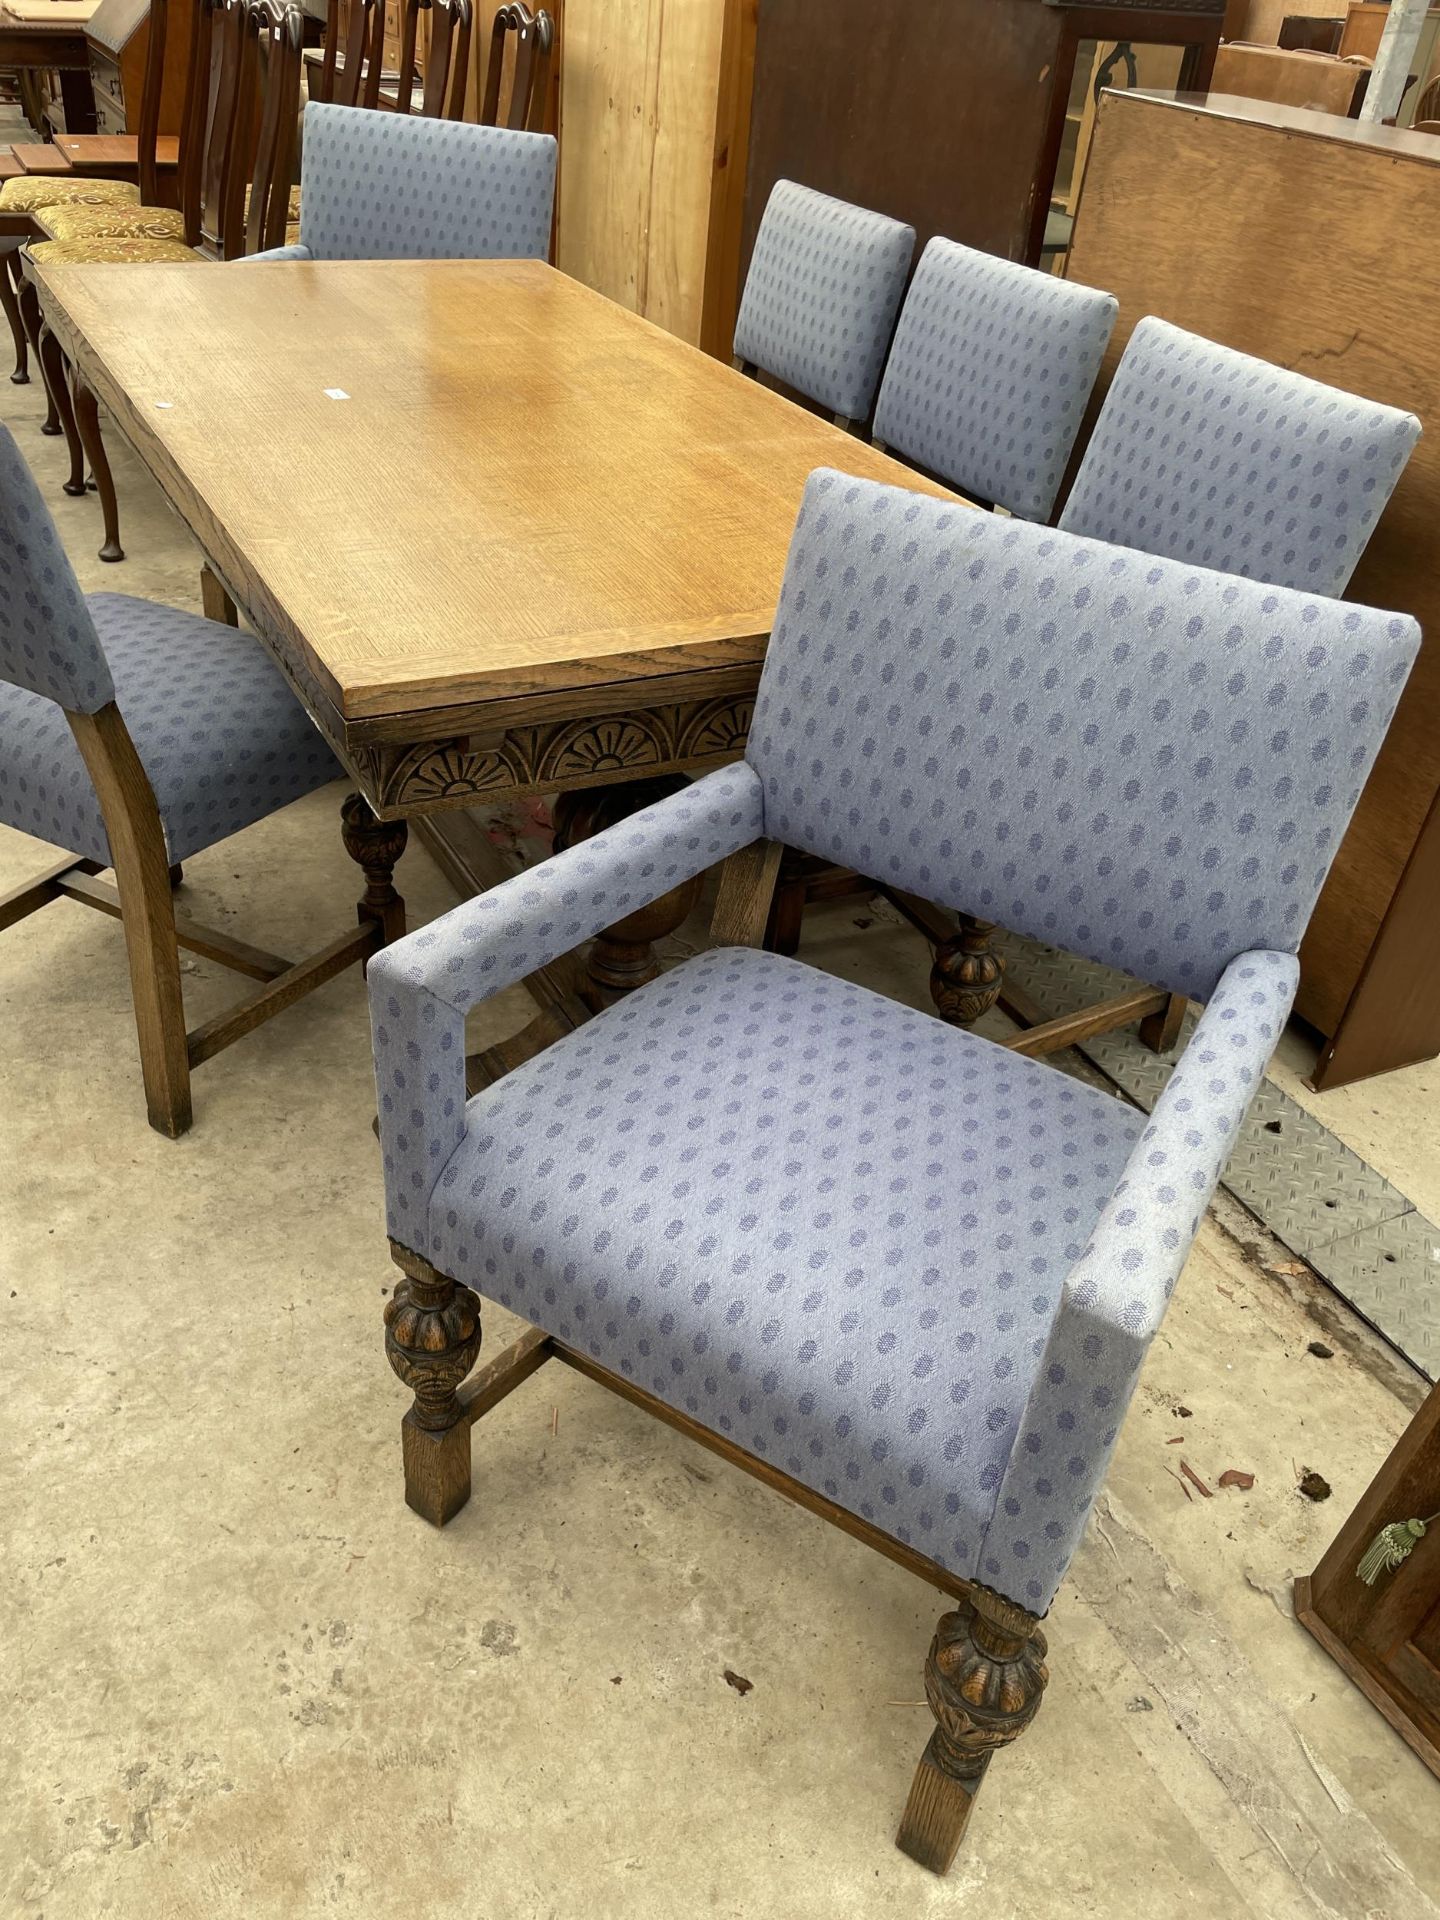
(137, 736)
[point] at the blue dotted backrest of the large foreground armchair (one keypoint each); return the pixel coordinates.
(1132, 759)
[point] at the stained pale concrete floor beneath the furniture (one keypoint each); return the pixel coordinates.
(241, 1679)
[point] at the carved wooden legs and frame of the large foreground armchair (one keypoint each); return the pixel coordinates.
(986, 1668)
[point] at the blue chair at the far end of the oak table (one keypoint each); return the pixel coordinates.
(398, 187)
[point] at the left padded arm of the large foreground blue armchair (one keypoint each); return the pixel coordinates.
(423, 986)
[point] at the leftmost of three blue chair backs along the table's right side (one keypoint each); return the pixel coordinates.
(821, 297)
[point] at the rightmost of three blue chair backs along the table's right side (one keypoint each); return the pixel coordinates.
(1220, 460)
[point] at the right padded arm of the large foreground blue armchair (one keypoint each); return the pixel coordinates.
(1118, 1289)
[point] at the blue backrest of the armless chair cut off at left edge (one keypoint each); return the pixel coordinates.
(47, 636)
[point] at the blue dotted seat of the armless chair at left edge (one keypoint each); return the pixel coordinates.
(218, 731)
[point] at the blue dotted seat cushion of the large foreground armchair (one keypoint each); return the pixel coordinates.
(825, 1226)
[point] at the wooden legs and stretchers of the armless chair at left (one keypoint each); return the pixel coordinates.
(155, 936)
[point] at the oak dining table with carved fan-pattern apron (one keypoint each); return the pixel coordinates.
(502, 535)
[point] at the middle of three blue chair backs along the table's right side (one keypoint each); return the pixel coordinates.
(990, 375)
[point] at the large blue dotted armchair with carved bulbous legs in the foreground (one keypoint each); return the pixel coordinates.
(894, 1268)
